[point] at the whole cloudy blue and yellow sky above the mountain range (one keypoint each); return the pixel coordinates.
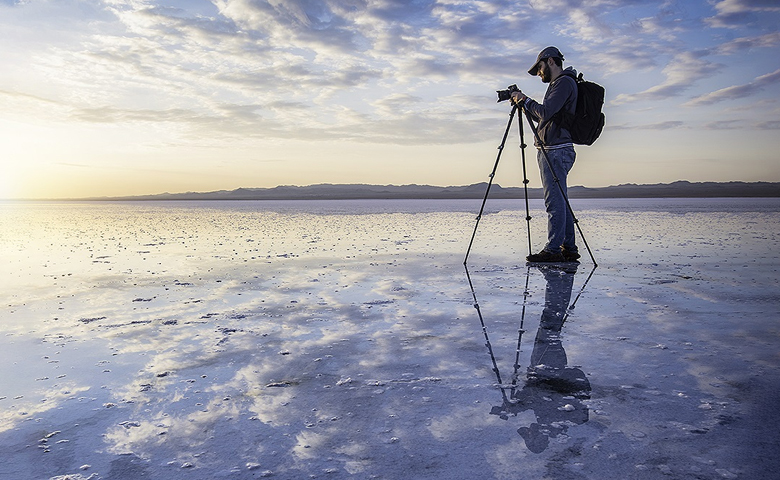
(132, 97)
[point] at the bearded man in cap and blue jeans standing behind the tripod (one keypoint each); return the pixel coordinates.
(556, 145)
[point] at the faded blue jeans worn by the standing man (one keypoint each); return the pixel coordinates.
(560, 222)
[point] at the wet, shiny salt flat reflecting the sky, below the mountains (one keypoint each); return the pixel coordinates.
(340, 340)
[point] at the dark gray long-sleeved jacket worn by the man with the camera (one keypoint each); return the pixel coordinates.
(561, 94)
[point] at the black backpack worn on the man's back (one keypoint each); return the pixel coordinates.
(587, 122)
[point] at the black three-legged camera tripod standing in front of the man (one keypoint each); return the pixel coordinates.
(525, 181)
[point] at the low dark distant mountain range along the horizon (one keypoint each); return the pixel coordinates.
(477, 190)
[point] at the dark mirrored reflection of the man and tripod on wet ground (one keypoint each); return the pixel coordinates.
(553, 391)
